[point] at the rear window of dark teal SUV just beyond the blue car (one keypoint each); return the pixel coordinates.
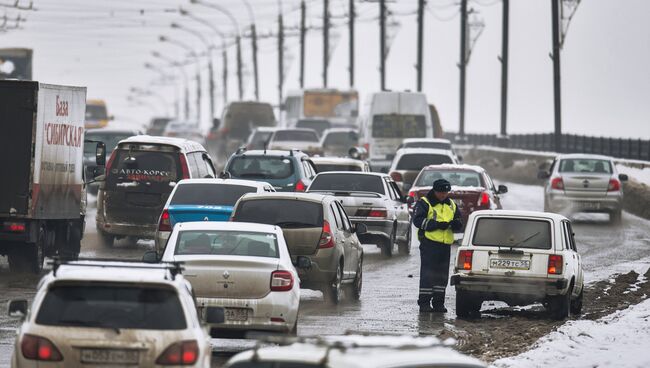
(261, 167)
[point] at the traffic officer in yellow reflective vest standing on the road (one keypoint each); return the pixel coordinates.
(437, 217)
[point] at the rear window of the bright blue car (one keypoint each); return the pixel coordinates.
(210, 194)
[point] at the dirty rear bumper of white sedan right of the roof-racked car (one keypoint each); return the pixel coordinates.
(282, 305)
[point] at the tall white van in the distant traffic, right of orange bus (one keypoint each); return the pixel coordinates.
(389, 117)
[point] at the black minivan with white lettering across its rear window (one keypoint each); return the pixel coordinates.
(140, 175)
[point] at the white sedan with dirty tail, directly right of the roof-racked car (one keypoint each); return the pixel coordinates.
(241, 274)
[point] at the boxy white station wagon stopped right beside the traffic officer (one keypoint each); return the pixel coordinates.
(519, 257)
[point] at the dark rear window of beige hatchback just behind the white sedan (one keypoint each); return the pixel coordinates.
(276, 212)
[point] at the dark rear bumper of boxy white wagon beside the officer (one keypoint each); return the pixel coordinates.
(500, 286)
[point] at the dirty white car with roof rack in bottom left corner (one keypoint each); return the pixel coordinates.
(110, 313)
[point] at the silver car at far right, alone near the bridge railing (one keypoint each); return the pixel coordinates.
(583, 183)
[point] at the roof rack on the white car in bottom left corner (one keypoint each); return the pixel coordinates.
(174, 268)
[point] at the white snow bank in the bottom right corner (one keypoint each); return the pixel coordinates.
(617, 340)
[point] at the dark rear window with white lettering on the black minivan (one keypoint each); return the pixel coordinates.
(132, 168)
